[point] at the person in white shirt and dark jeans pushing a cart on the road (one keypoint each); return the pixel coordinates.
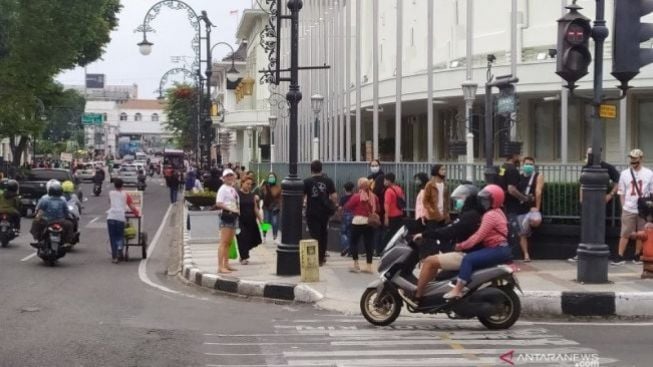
(120, 204)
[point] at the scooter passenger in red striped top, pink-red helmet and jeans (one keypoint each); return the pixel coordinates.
(492, 234)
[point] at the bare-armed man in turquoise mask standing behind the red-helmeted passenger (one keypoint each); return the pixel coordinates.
(529, 212)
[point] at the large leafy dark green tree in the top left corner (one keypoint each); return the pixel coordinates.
(40, 39)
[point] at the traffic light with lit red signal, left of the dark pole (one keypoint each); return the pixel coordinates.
(574, 57)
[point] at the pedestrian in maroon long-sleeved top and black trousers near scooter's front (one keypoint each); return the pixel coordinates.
(364, 205)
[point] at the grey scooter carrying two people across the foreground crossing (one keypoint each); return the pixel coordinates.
(491, 297)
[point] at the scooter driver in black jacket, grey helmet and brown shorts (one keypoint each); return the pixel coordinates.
(465, 202)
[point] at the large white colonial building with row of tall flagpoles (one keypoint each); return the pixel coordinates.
(394, 87)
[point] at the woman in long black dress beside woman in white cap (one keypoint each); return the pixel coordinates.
(249, 236)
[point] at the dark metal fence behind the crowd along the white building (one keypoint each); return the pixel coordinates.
(561, 190)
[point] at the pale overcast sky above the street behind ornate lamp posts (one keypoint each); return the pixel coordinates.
(123, 64)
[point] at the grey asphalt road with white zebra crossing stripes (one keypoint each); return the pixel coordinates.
(89, 312)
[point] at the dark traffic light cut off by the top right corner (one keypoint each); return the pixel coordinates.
(629, 32)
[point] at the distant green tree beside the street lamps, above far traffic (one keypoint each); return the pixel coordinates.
(181, 109)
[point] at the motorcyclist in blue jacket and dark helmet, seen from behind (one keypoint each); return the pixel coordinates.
(51, 208)
